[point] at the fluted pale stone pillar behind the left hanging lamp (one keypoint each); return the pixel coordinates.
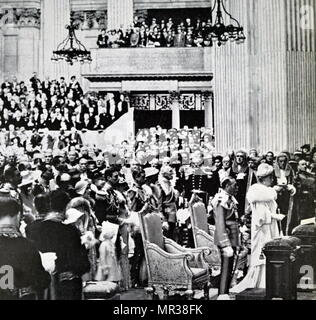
(55, 16)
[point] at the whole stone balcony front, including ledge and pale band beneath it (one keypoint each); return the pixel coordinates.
(158, 69)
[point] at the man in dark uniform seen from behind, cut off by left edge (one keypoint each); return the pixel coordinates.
(18, 253)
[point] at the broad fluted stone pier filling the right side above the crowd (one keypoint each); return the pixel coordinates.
(265, 88)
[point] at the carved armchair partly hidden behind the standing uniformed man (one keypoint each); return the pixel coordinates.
(203, 233)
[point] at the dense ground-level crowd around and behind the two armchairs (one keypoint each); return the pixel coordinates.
(70, 211)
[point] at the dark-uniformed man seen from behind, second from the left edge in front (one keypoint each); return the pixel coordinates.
(51, 235)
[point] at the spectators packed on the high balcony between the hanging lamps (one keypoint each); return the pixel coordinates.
(164, 33)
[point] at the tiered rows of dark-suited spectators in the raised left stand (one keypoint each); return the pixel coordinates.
(56, 104)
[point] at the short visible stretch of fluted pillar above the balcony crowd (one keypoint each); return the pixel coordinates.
(120, 13)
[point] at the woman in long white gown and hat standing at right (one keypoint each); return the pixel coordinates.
(264, 227)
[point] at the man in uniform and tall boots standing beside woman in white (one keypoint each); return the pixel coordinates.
(226, 231)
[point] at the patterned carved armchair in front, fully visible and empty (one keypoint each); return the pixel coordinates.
(172, 269)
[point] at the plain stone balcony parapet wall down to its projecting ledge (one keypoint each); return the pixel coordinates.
(149, 62)
